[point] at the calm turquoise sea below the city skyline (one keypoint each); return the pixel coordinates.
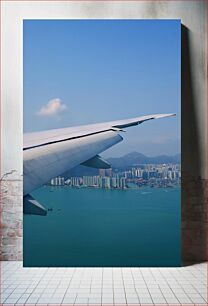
(99, 227)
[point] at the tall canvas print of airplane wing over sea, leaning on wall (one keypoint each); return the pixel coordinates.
(102, 156)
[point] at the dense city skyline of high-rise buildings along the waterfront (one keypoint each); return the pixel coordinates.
(153, 175)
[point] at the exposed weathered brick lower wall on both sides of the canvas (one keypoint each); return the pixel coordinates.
(194, 210)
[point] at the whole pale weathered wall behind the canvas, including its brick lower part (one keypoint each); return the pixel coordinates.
(194, 104)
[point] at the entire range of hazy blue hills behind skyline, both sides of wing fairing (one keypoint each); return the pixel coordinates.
(127, 161)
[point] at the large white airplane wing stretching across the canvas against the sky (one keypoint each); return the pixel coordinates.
(50, 153)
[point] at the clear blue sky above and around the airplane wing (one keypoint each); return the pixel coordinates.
(87, 71)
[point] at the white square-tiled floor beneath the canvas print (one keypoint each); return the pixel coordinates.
(103, 286)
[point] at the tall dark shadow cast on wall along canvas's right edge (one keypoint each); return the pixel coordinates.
(194, 204)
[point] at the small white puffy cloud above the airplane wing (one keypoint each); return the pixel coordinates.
(53, 108)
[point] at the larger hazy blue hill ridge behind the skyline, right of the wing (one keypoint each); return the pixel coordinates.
(136, 158)
